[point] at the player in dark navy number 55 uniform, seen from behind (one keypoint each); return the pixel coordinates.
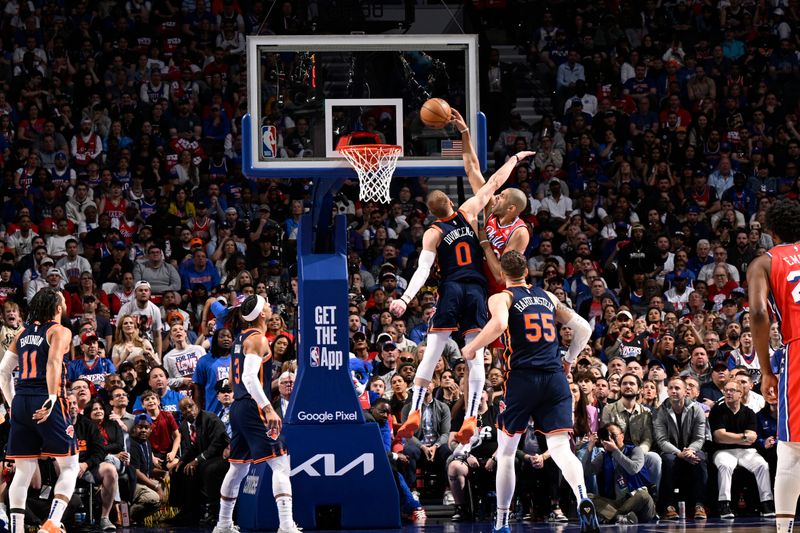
(536, 385)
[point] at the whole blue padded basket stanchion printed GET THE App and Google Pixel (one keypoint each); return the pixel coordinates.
(337, 459)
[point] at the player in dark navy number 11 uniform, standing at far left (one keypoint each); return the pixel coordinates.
(40, 423)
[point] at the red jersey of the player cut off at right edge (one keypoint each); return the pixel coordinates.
(785, 284)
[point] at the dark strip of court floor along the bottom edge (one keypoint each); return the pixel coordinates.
(740, 525)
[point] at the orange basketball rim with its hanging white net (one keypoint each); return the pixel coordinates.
(375, 164)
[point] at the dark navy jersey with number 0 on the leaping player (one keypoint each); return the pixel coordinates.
(459, 256)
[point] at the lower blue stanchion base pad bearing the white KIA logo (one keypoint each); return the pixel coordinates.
(332, 465)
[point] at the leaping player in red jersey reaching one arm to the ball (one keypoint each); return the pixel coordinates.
(504, 230)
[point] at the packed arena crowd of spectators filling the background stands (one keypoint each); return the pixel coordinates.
(673, 127)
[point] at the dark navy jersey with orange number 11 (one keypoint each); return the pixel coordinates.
(32, 353)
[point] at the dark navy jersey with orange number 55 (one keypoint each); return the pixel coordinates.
(530, 338)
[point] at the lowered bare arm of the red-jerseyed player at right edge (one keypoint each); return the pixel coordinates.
(758, 292)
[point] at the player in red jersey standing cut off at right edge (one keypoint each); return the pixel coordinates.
(778, 272)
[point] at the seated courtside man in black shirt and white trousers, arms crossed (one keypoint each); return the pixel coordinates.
(734, 428)
